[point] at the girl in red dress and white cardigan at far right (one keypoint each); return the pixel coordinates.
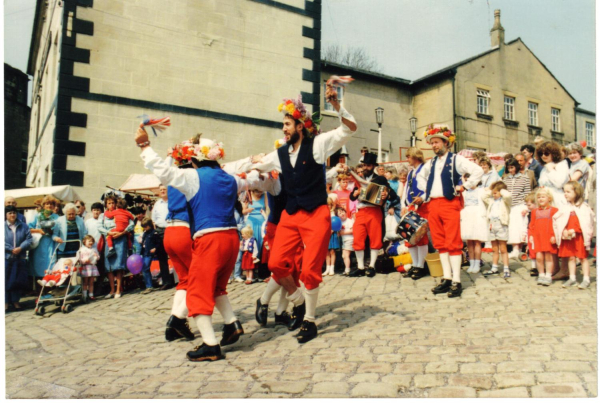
(574, 229)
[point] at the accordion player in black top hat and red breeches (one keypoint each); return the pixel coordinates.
(369, 218)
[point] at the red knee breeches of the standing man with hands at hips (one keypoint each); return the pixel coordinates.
(444, 223)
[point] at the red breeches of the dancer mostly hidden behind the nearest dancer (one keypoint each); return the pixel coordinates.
(178, 245)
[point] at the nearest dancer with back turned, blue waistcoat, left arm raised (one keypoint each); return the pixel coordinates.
(211, 194)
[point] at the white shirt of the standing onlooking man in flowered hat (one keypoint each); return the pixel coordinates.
(463, 166)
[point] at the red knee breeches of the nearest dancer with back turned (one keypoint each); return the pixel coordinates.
(213, 260)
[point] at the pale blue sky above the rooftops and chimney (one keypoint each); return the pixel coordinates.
(412, 38)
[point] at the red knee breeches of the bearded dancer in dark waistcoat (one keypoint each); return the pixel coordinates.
(303, 229)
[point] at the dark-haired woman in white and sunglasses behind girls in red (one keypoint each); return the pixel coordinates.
(555, 171)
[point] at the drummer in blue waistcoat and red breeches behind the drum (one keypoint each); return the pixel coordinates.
(412, 200)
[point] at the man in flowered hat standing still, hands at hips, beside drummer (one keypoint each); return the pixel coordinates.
(440, 177)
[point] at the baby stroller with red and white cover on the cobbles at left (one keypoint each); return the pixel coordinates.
(64, 280)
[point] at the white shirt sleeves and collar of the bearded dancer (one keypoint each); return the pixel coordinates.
(325, 145)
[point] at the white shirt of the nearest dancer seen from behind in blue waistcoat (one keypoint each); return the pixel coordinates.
(187, 181)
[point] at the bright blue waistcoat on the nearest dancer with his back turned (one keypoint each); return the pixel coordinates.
(213, 205)
